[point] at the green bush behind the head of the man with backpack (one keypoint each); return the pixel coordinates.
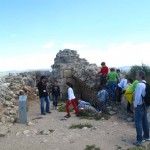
(134, 69)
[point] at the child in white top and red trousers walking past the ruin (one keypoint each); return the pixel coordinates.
(71, 100)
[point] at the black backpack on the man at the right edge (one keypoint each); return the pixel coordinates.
(146, 98)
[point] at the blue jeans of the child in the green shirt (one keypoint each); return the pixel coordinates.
(111, 89)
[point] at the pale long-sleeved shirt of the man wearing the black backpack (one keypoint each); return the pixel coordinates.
(139, 92)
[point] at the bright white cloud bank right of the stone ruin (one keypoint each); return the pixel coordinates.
(124, 54)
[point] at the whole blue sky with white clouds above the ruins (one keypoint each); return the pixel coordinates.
(33, 31)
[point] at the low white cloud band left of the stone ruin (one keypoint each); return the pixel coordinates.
(32, 61)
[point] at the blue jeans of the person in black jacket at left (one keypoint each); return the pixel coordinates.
(47, 100)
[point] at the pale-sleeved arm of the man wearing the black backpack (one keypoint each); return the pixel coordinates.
(138, 94)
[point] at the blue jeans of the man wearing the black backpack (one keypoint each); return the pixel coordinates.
(141, 122)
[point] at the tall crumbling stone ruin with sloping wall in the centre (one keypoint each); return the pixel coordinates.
(68, 66)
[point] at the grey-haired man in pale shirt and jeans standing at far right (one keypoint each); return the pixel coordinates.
(141, 121)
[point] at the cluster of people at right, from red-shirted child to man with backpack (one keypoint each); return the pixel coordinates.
(116, 85)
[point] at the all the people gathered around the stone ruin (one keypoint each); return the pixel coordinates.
(112, 86)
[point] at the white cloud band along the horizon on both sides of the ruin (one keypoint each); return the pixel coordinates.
(115, 55)
